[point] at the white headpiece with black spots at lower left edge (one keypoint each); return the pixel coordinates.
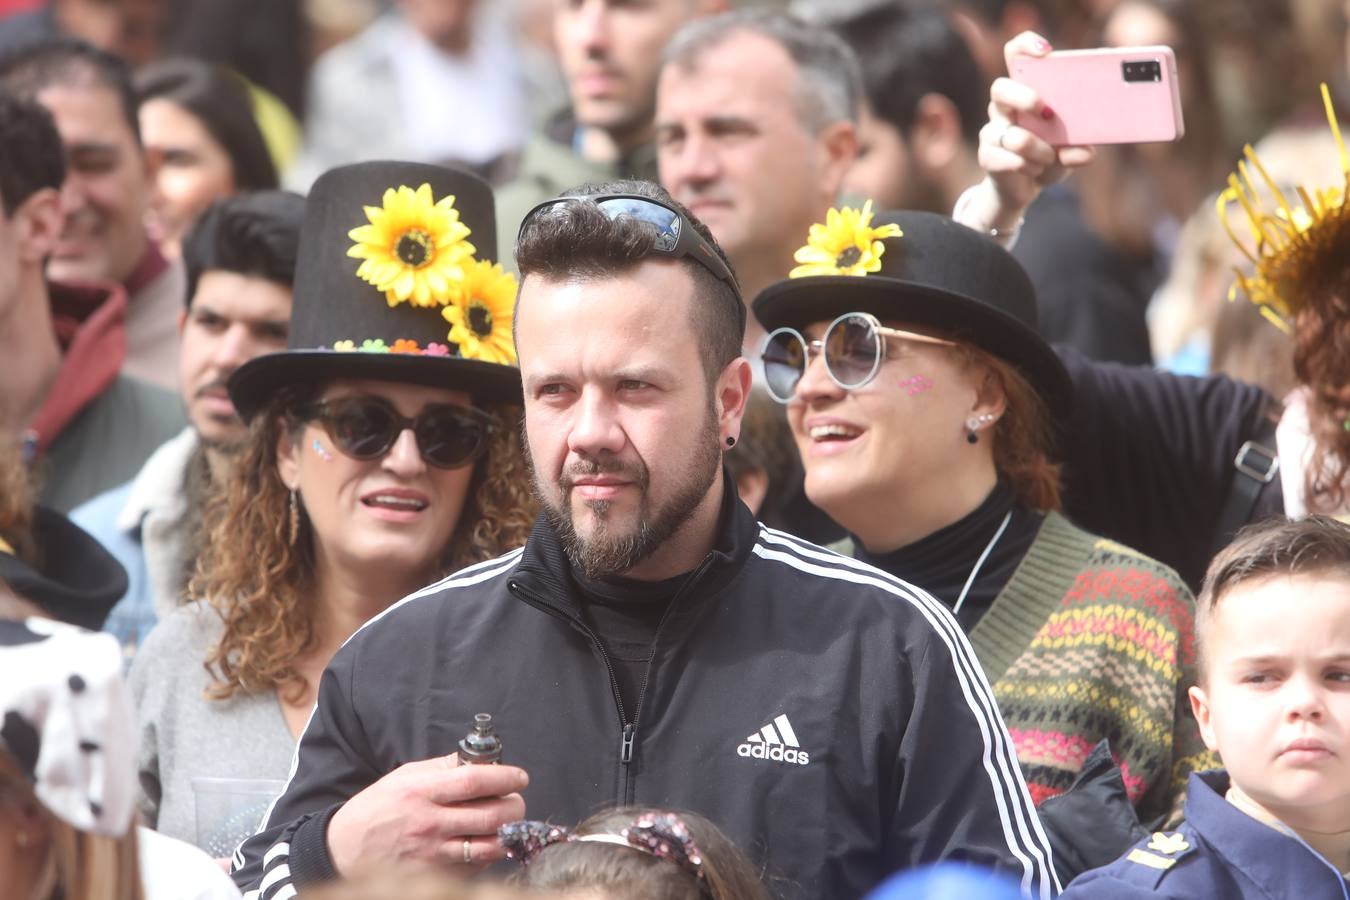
(65, 719)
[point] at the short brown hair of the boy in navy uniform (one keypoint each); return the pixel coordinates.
(1272, 549)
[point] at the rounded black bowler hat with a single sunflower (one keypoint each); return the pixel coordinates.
(938, 275)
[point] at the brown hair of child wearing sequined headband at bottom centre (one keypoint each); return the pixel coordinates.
(630, 872)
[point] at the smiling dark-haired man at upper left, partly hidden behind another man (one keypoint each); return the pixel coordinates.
(103, 203)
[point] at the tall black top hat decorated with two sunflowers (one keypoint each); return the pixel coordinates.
(396, 281)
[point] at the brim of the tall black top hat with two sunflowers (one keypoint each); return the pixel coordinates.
(254, 384)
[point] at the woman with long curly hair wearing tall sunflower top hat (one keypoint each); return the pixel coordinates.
(384, 454)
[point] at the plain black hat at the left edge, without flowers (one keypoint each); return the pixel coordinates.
(74, 578)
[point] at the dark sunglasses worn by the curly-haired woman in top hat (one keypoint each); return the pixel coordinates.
(367, 428)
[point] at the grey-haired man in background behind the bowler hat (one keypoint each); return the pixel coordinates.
(757, 128)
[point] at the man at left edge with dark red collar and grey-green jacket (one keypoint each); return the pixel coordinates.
(83, 424)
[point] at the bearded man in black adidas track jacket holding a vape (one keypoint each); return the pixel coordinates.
(653, 646)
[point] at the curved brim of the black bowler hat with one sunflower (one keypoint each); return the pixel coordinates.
(797, 303)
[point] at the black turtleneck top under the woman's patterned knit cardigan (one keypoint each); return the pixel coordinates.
(942, 562)
